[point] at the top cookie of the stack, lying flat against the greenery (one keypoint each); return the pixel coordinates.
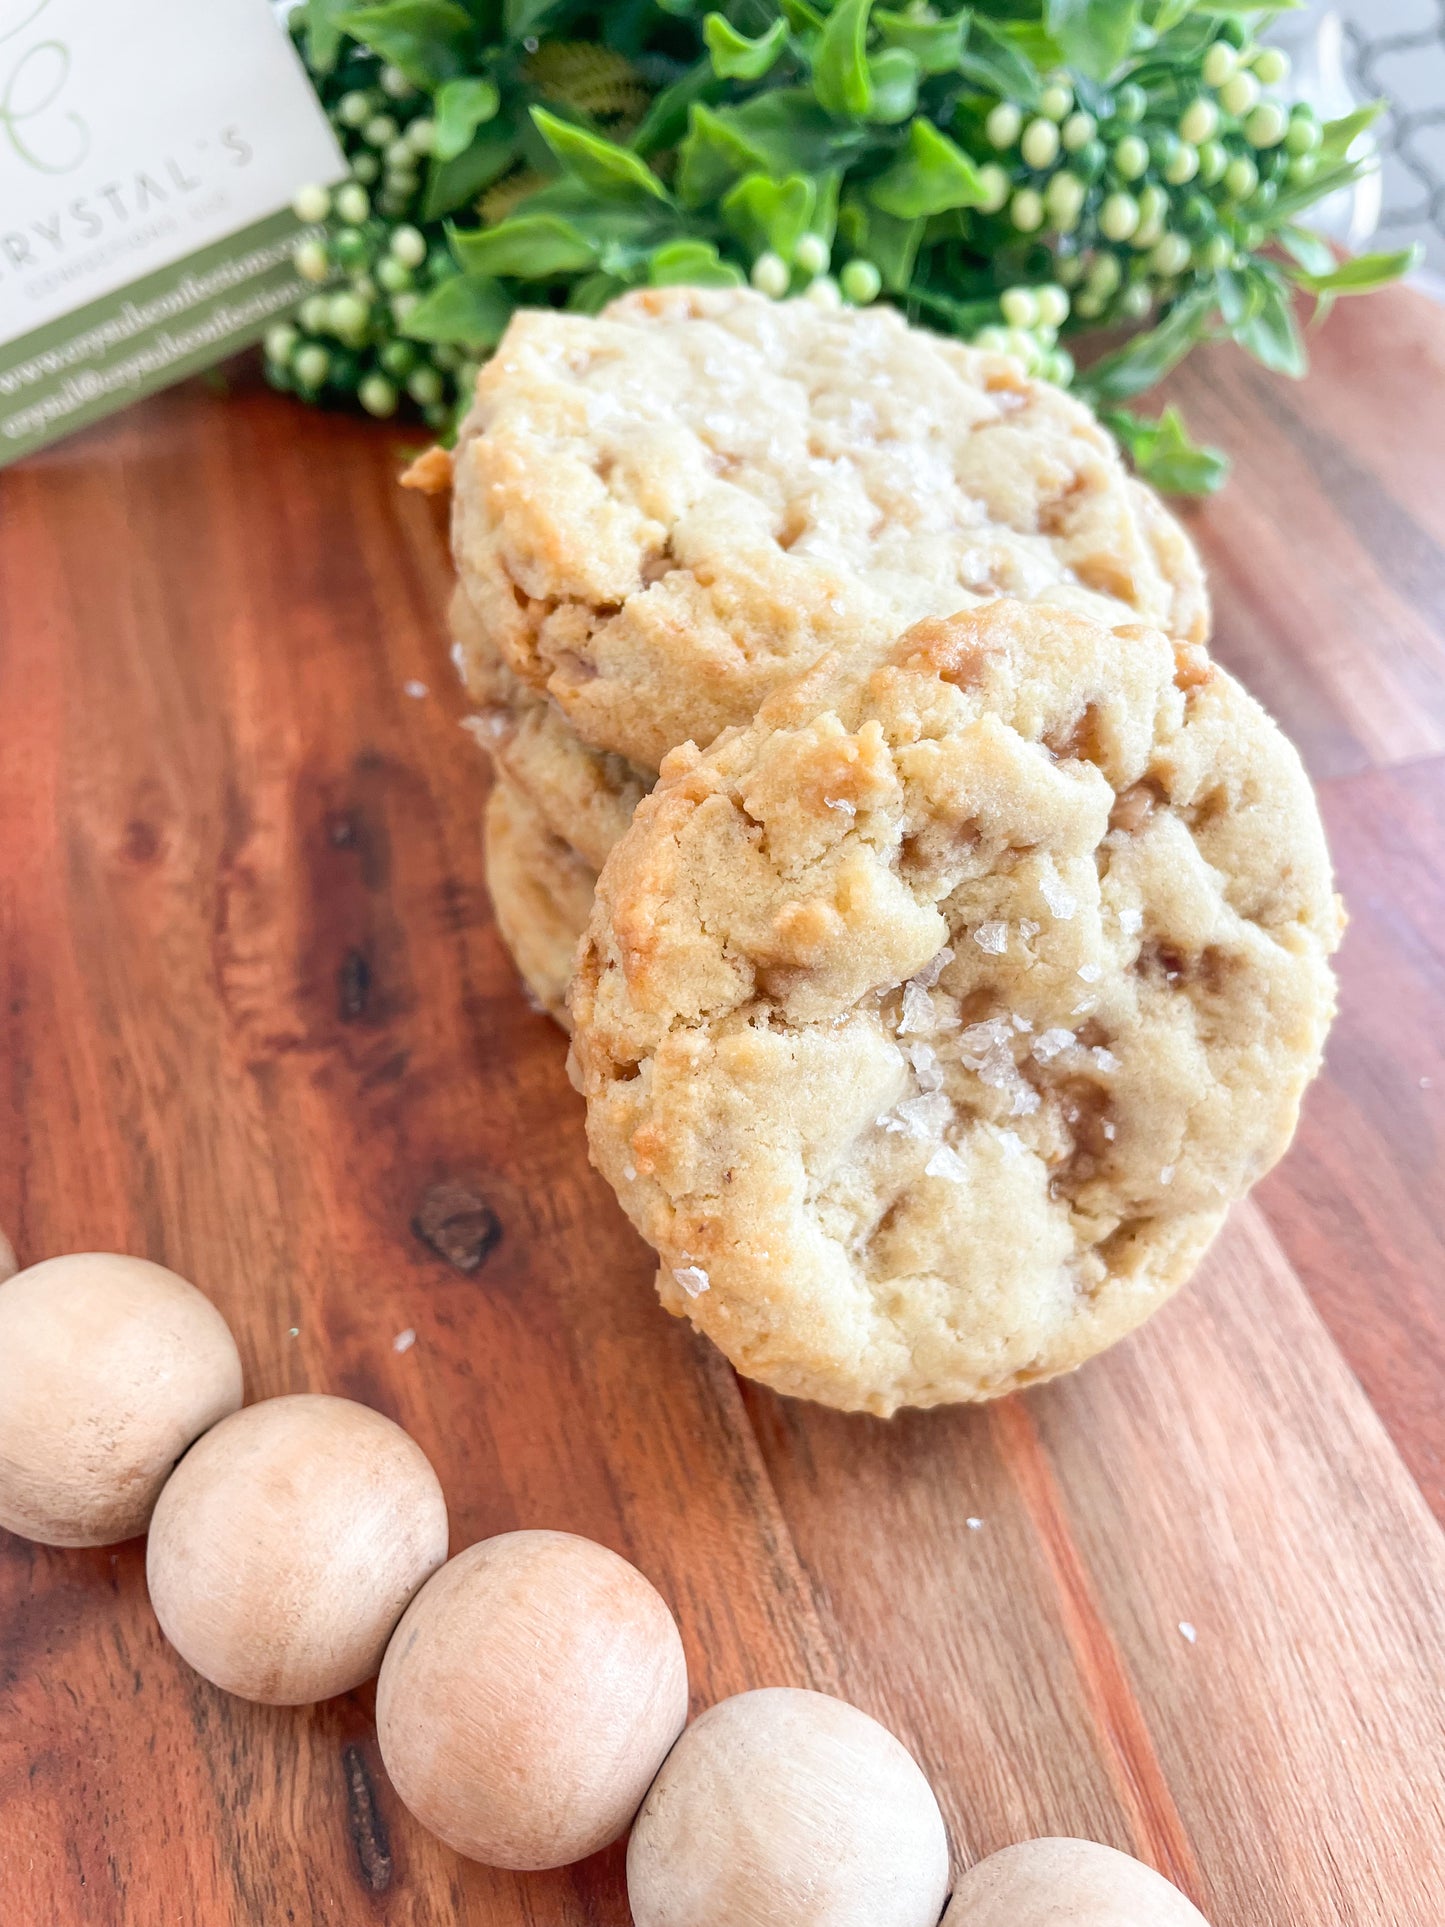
(666, 512)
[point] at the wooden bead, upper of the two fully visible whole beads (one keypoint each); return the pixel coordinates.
(288, 1546)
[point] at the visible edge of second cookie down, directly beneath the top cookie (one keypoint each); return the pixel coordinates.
(585, 797)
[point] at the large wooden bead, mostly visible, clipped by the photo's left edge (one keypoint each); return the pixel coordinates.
(109, 1369)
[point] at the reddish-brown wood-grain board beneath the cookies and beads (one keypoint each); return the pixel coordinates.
(255, 1022)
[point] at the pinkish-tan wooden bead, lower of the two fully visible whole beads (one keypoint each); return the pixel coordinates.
(529, 1699)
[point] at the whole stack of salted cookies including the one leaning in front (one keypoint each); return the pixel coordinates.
(972, 953)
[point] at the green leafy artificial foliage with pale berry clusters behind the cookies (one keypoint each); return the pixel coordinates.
(1018, 174)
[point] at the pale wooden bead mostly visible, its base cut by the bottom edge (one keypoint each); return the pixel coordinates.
(789, 1807)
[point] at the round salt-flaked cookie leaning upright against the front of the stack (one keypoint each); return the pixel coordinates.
(932, 1022)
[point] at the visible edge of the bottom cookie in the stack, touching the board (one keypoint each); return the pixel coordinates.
(540, 893)
